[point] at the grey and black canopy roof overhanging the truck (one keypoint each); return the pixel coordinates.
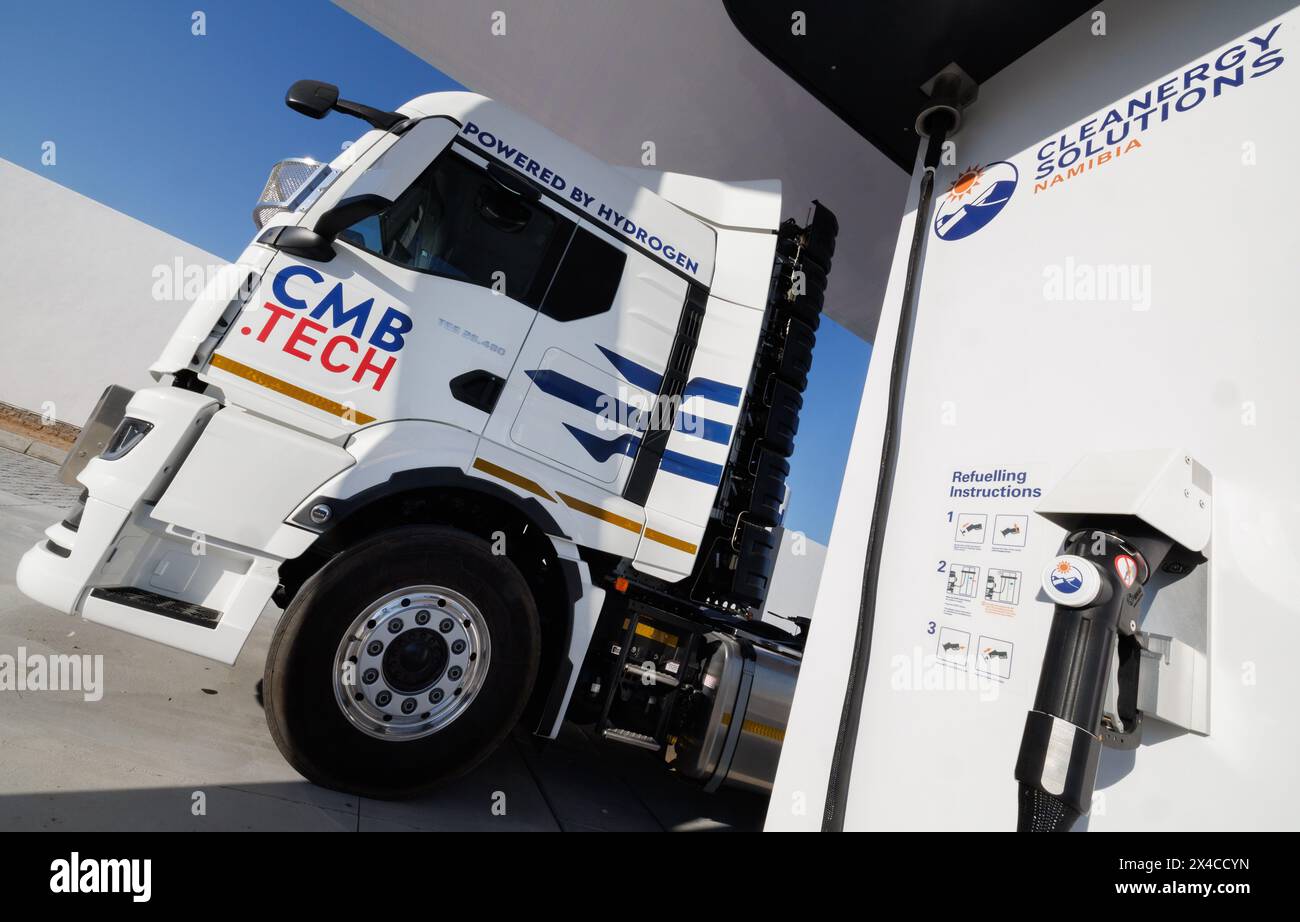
(684, 76)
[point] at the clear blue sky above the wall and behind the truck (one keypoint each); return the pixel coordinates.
(179, 132)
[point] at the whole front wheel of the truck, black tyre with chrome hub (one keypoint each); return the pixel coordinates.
(402, 664)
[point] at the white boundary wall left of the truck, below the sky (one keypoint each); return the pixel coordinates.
(77, 295)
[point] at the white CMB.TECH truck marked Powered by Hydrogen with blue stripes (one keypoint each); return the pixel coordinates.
(504, 430)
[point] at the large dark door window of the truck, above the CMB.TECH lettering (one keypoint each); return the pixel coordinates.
(460, 223)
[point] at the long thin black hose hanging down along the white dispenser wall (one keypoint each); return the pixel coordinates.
(847, 739)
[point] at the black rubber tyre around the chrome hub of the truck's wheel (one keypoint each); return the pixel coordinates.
(306, 720)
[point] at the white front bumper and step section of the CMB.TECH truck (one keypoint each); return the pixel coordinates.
(157, 551)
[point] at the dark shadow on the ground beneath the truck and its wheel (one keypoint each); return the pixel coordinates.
(570, 785)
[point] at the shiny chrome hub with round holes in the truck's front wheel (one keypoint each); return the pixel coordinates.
(411, 663)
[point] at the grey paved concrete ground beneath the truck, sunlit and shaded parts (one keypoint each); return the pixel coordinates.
(180, 743)
